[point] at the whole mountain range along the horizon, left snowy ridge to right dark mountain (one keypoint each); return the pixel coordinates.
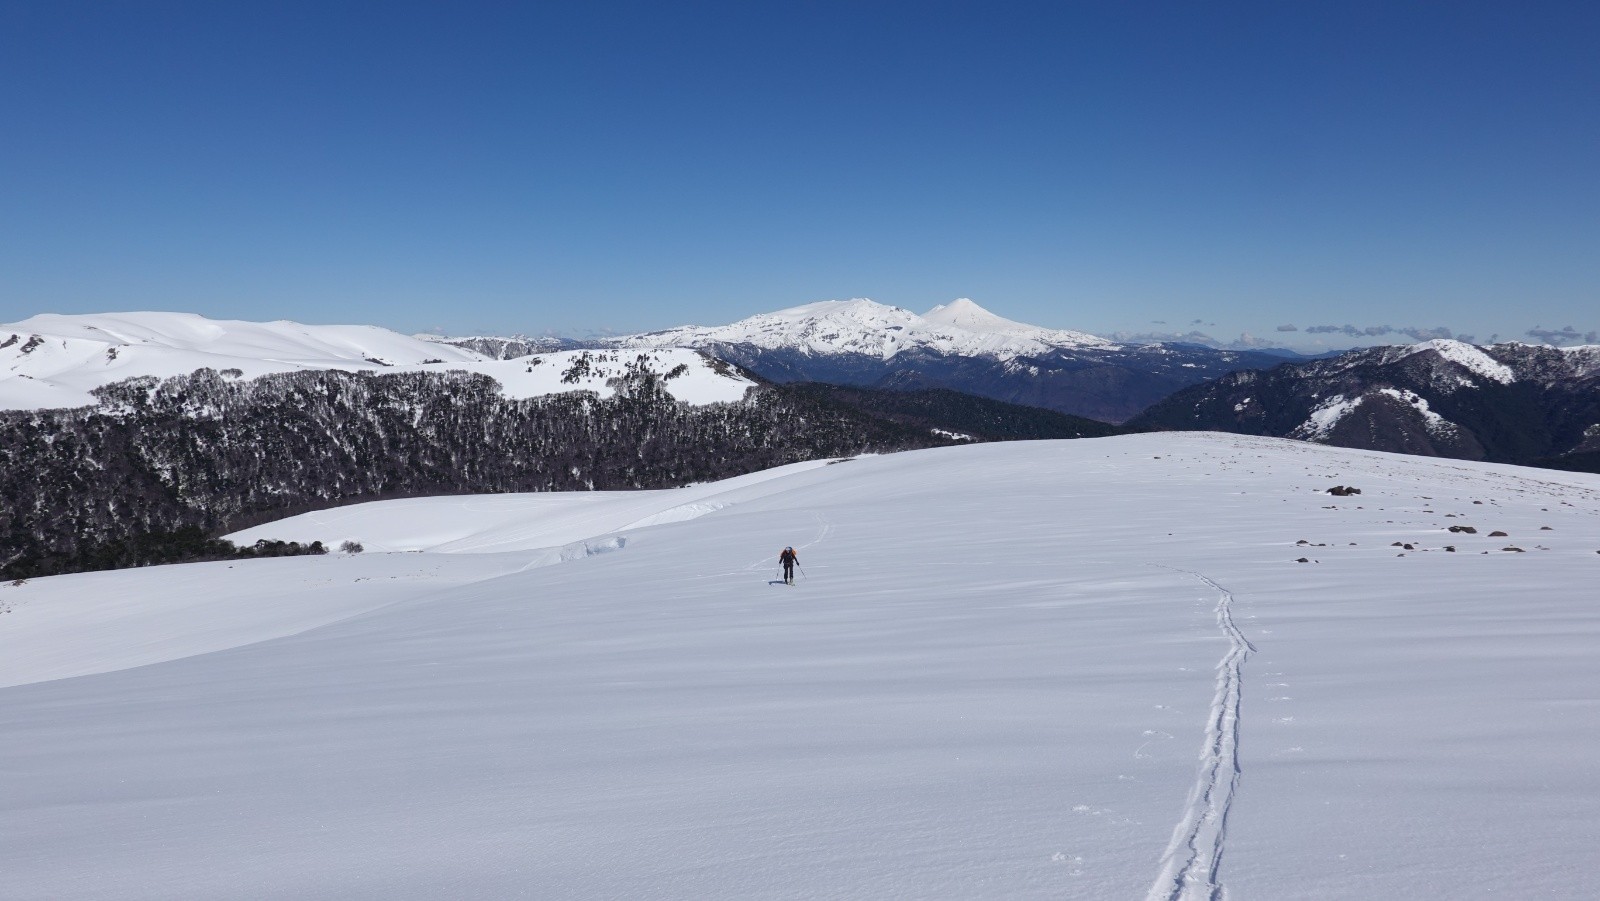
(1508, 402)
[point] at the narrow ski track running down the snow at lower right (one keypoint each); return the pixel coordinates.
(1191, 868)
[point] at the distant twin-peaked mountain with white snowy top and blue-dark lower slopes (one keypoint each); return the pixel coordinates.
(958, 346)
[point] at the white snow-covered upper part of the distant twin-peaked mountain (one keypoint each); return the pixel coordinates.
(868, 329)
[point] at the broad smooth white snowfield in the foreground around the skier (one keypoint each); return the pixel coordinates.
(1162, 667)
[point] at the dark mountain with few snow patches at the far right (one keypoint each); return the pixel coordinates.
(1506, 402)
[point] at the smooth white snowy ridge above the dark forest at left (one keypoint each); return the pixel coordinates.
(57, 361)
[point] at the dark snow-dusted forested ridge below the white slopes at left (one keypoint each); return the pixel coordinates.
(207, 452)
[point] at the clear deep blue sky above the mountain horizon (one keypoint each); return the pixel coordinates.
(578, 167)
